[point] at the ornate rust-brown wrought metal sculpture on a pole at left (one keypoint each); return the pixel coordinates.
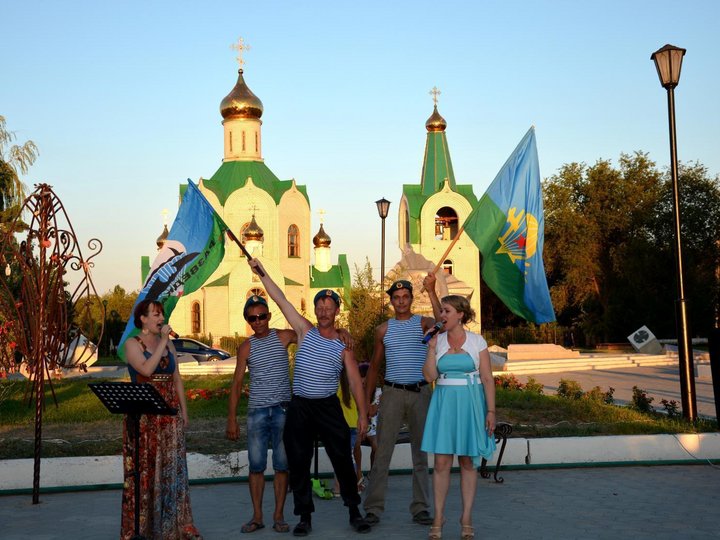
(43, 317)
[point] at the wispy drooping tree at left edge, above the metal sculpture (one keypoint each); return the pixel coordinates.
(14, 160)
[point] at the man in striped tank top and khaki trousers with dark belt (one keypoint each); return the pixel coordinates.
(405, 397)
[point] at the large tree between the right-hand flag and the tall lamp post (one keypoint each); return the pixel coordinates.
(597, 219)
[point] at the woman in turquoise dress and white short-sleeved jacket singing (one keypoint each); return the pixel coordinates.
(461, 417)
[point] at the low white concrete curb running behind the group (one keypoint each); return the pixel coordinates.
(58, 474)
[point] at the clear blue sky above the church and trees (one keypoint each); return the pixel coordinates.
(122, 99)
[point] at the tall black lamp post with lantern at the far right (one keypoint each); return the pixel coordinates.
(668, 61)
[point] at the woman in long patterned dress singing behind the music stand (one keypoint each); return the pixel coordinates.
(164, 494)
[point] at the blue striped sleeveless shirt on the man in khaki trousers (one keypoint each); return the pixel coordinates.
(404, 350)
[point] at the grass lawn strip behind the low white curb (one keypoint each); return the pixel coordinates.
(82, 426)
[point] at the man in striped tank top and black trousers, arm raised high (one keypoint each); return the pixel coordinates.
(314, 409)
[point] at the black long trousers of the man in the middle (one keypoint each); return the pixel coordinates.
(322, 418)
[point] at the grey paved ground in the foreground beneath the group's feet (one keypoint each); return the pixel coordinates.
(630, 502)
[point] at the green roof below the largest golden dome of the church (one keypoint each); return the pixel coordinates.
(233, 175)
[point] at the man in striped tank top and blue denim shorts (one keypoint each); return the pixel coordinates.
(265, 355)
